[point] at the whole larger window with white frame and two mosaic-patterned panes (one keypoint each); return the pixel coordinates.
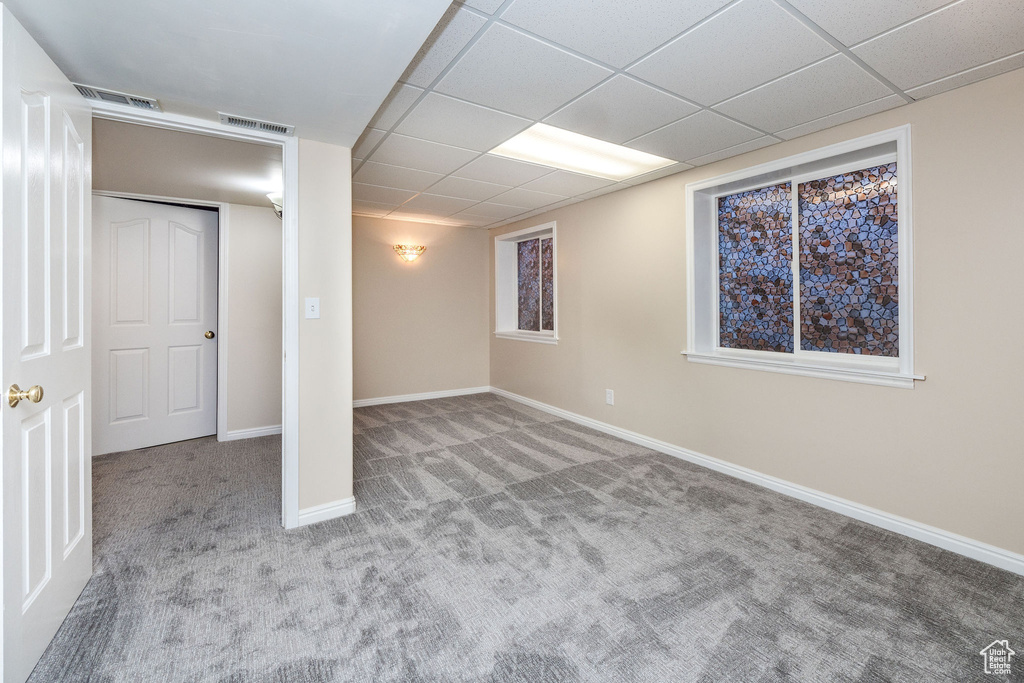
(804, 266)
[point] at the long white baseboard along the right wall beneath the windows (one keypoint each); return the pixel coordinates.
(977, 550)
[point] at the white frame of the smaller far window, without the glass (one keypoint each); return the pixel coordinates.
(507, 284)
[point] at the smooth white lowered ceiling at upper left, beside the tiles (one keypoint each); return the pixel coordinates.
(324, 67)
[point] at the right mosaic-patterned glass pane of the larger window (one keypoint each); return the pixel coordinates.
(848, 264)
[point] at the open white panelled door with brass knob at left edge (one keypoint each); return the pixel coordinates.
(48, 492)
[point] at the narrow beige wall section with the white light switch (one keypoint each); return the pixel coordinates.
(325, 205)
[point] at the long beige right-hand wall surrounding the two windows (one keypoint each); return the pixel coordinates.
(949, 454)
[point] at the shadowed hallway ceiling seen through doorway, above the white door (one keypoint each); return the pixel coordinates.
(144, 160)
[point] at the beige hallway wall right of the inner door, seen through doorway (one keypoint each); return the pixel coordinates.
(254, 334)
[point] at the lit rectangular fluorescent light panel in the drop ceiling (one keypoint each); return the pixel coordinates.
(572, 152)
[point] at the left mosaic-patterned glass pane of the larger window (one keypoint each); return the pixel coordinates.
(755, 246)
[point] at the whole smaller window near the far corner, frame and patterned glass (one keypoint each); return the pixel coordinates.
(526, 289)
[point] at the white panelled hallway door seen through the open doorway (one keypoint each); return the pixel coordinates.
(155, 323)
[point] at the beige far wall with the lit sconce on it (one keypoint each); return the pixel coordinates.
(419, 327)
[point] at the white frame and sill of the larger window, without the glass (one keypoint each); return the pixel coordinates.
(703, 264)
